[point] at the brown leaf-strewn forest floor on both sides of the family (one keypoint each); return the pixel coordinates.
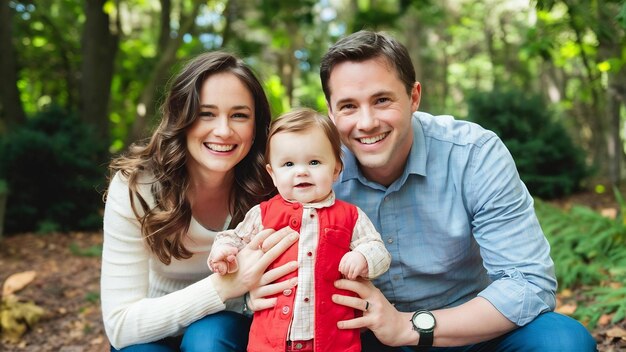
(67, 286)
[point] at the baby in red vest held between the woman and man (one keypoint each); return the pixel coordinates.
(336, 238)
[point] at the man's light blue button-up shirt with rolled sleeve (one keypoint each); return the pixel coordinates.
(459, 223)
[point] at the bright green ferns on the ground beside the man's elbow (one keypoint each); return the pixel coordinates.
(588, 251)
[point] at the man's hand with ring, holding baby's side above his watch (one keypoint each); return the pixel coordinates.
(391, 327)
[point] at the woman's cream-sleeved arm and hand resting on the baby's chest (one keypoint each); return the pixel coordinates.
(130, 317)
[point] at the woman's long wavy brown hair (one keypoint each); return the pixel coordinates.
(164, 156)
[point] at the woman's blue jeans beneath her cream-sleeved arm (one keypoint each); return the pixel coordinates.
(220, 332)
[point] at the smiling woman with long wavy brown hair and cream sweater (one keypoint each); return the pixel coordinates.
(200, 172)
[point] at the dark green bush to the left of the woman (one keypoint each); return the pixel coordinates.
(51, 167)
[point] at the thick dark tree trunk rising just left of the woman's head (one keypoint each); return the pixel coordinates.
(99, 47)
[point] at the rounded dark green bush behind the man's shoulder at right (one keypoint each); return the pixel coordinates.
(546, 157)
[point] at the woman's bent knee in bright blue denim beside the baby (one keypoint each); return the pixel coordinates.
(224, 331)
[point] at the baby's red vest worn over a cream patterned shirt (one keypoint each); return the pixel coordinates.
(270, 327)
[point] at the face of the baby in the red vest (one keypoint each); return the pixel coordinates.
(302, 165)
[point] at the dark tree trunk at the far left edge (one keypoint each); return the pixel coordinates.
(11, 109)
